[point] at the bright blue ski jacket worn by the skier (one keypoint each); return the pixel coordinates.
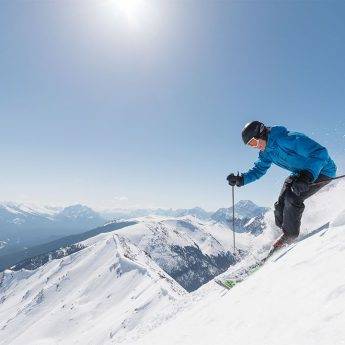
(294, 152)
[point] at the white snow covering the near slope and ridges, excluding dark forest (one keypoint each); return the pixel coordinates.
(111, 292)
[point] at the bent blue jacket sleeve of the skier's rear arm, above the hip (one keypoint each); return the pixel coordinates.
(316, 155)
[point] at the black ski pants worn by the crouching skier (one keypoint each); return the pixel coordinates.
(289, 208)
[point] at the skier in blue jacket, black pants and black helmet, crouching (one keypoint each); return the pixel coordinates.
(308, 161)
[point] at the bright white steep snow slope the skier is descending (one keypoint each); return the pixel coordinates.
(298, 297)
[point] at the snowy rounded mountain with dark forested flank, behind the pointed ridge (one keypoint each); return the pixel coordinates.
(192, 251)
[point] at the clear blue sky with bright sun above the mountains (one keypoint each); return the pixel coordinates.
(143, 105)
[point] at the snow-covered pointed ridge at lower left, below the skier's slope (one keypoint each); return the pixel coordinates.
(91, 297)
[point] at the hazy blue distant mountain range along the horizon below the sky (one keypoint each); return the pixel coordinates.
(23, 225)
